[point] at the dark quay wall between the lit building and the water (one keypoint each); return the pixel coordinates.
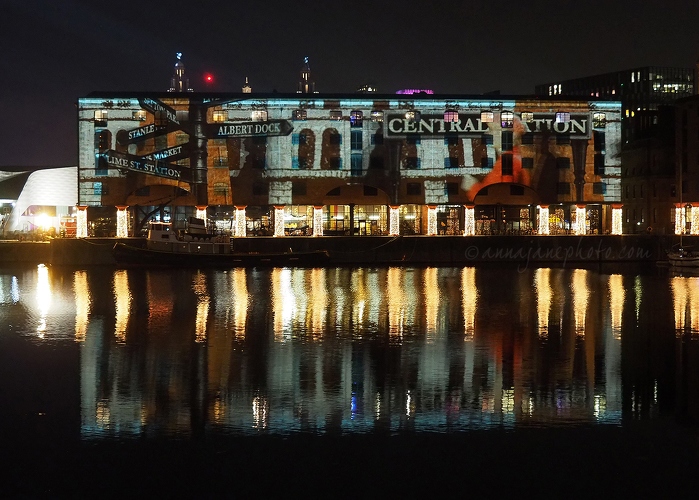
(384, 250)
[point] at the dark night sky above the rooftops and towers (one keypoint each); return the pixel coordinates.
(54, 52)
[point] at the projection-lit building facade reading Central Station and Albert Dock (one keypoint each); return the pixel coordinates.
(358, 165)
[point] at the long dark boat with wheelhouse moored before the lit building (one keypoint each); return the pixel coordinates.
(165, 247)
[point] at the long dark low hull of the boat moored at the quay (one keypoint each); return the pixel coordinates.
(135, 256)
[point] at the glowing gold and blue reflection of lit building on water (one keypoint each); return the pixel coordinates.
(360, 349)
